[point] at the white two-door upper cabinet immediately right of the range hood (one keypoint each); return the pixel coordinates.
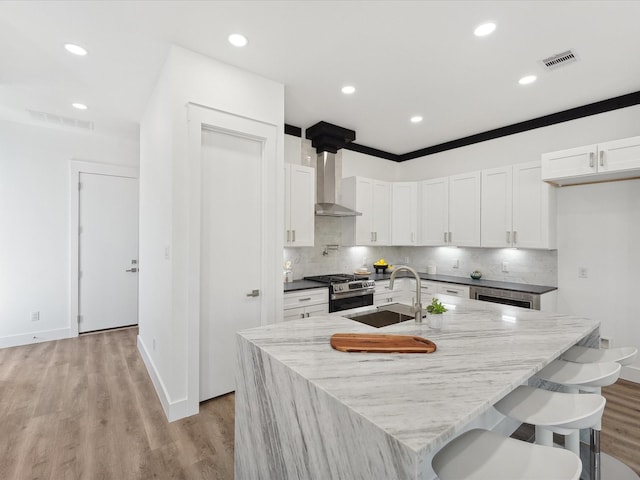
(373, 199)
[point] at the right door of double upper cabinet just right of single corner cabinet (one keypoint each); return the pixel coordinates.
(464, 210)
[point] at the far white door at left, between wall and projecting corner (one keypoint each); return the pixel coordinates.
(108, 248)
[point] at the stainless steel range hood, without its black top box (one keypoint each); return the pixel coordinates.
(328, 182)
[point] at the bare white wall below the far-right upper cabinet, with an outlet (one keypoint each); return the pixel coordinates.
(599, 229)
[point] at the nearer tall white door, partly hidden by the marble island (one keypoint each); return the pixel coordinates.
(230, 261)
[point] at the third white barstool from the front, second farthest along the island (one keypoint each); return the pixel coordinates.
(586, 377)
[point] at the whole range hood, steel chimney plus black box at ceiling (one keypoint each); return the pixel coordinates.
(327, 139)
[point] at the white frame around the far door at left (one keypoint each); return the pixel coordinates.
(76, 167)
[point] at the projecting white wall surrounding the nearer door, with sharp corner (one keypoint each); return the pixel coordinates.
(164, 199)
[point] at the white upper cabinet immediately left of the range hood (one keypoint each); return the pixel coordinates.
(299, 206)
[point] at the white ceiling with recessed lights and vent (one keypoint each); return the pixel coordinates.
(404, 58)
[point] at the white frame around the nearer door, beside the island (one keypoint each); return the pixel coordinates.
(272, 216)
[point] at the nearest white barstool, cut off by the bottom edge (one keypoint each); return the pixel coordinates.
(482, 454)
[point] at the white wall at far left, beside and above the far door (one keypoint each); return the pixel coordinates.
(34, 223)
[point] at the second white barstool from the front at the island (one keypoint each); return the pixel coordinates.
(553, 412)
